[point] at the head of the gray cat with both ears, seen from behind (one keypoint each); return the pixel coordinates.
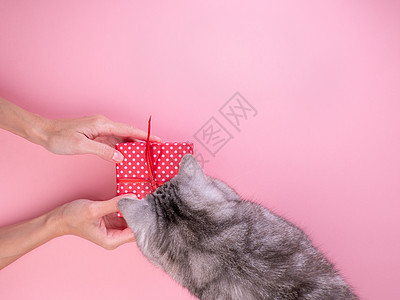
(181, 211)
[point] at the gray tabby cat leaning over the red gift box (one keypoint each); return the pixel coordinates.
(221, 247)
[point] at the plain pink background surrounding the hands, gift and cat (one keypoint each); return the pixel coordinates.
(323, 150)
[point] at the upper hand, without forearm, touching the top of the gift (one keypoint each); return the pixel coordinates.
(94, 135)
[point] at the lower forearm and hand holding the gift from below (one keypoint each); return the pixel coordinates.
(95, 221)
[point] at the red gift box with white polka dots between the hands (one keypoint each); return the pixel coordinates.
(165, 156)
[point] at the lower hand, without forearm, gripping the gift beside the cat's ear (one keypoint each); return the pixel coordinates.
(96, 221)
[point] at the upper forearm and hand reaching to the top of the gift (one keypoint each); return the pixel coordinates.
(95, 134)
